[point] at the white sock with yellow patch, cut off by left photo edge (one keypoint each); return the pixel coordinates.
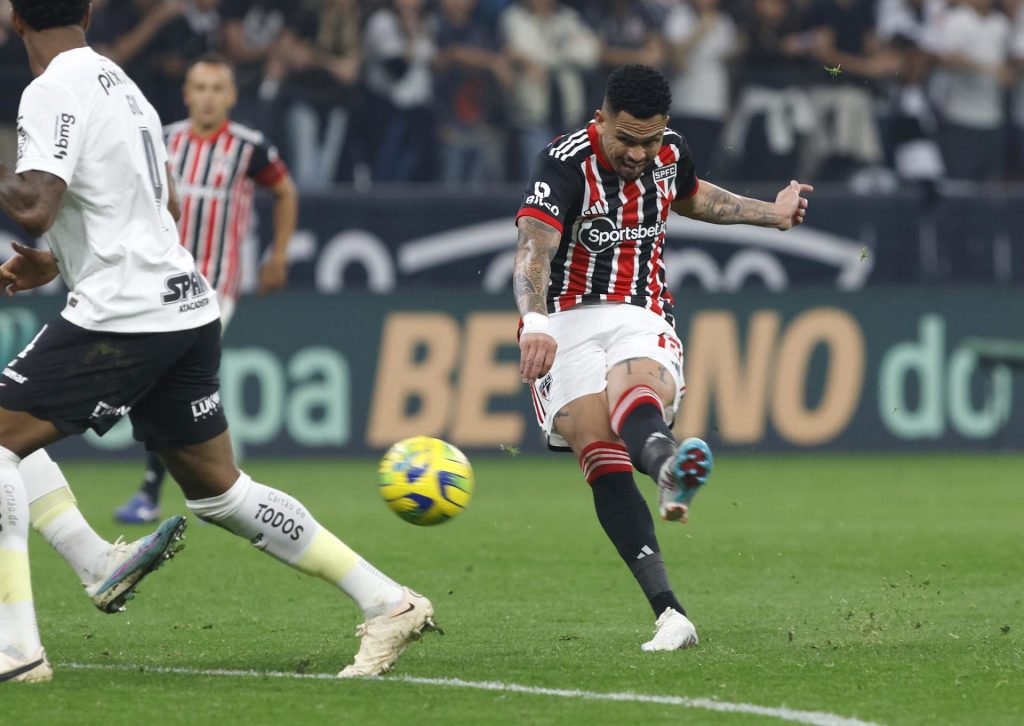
(19, 632)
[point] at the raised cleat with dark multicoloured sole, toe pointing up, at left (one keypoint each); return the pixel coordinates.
(130, 563)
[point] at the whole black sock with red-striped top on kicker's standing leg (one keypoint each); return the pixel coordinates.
(627, 521)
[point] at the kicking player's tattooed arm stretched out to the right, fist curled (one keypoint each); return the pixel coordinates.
(718, 206)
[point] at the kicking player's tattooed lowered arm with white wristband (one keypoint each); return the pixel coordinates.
(538, 245)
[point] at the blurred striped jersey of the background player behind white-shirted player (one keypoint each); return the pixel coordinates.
(217, 178)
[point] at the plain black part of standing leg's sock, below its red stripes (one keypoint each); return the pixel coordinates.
(627, 521)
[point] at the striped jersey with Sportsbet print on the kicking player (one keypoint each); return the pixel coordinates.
(613, 230)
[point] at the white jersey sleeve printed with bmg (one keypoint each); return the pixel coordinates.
(51, 131)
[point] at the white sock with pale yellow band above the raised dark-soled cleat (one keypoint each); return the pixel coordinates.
(55, 515)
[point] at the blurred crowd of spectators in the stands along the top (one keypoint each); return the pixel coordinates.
(871, 93)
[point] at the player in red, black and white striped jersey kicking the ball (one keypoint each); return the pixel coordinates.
(598, 343)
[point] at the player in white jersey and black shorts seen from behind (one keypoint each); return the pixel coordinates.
(140, 336)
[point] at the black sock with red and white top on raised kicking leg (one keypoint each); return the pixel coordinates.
(638, 419)
